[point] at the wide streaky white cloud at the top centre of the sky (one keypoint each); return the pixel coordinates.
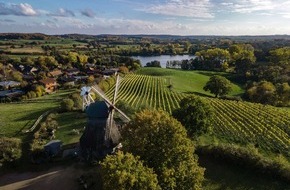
(182, 8)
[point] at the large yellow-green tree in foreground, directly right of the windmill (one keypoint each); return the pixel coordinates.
(161, 142)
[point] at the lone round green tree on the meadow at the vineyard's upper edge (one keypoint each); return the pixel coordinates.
(218, 85)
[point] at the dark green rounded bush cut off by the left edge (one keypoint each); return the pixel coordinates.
(10, 150)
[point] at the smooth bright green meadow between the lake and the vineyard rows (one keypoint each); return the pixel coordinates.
(188, 81)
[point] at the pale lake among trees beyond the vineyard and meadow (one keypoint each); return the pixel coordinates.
(162, 59)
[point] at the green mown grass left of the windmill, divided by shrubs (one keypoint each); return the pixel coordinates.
(16, 118)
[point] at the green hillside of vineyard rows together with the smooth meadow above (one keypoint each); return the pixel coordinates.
(266, 127)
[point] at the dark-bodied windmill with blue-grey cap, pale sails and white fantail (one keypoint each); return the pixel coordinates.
(101, 134)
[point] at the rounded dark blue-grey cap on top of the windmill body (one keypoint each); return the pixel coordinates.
(98, 109)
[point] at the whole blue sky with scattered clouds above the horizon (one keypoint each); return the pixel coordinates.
(175, 17)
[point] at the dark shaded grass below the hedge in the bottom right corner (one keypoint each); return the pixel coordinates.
(221, 175)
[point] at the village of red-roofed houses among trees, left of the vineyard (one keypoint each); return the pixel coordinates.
(12, 90)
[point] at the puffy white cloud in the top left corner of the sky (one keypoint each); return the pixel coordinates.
(22, 9)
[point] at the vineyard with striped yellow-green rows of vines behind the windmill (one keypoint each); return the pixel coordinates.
(266, 127)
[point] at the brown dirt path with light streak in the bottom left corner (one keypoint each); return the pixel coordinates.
(53, 179)
